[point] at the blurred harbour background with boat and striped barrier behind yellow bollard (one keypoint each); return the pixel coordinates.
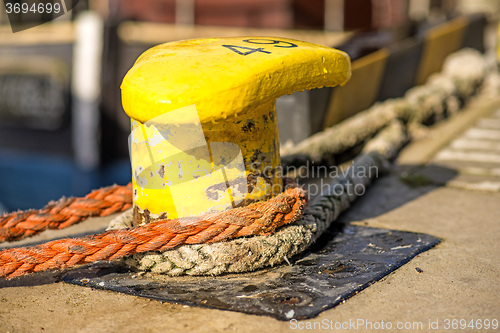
(63, 131)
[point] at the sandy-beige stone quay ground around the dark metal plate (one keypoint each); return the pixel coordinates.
(434, 189)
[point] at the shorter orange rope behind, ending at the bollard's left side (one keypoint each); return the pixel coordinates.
(65, 212)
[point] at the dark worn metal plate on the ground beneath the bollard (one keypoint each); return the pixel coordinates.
(343, 263)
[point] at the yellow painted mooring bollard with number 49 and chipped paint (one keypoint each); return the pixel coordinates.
(204, 130)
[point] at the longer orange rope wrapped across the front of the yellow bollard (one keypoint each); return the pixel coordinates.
(256, 219)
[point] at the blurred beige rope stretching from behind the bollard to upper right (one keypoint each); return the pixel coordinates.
(463, 73)
